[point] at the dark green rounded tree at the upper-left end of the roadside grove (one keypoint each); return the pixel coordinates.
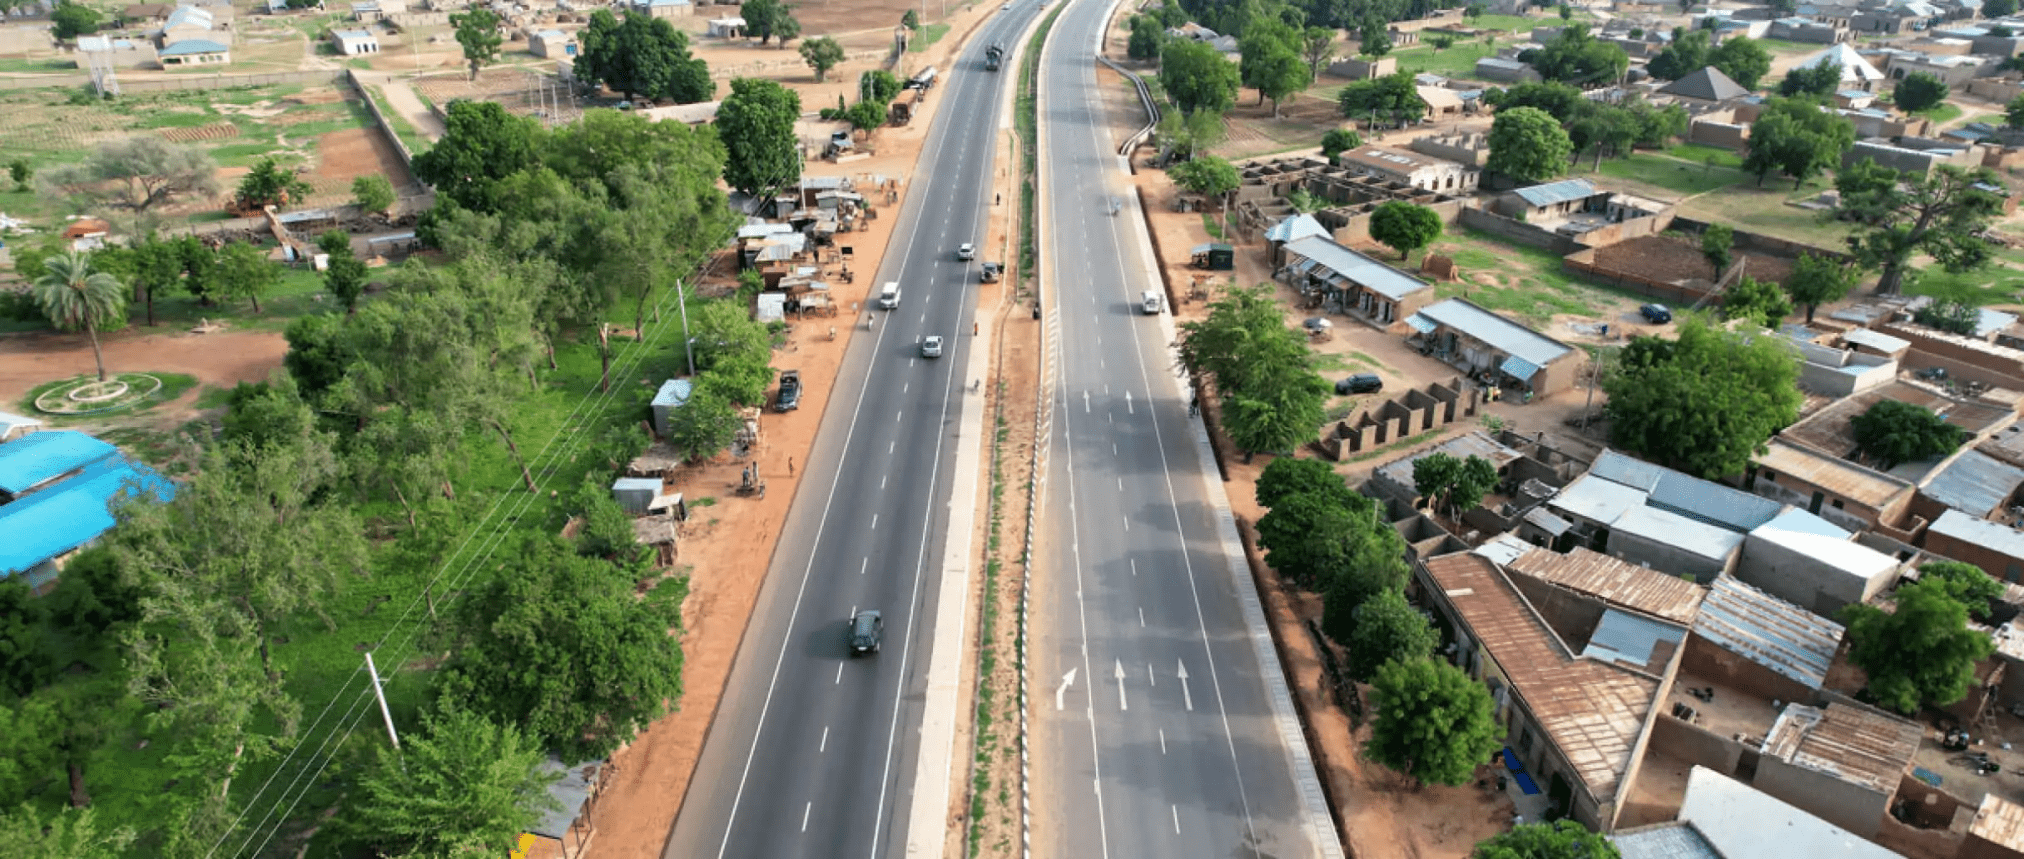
(481, 147)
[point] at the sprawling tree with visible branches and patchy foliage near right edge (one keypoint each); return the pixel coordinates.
(1900, 216)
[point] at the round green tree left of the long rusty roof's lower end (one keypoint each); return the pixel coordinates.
(1434, 722)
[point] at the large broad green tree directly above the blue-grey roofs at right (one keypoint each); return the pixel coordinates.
(1703, 404)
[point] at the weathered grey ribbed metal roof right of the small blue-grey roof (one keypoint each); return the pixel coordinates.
(1768, 631)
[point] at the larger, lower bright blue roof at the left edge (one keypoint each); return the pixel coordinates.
(72, 514)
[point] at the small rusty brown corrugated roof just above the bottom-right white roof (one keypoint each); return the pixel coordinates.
(1851, 745)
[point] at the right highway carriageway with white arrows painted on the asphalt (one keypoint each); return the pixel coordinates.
(1155, 726)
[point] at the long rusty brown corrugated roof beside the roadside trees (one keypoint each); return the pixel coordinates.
(1592, 712)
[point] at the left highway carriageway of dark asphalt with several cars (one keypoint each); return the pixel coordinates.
(813, 753)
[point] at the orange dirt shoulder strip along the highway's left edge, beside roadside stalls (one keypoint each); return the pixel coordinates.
(651, 777)
